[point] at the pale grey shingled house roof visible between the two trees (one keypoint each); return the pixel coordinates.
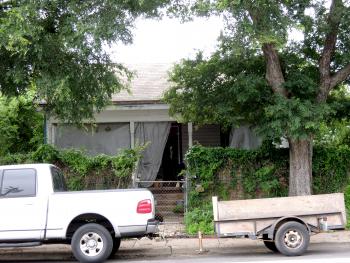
(149, 83)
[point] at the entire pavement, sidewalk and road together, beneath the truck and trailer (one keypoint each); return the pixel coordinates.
(327, 247)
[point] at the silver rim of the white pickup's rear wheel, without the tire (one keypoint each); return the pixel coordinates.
(91, 244)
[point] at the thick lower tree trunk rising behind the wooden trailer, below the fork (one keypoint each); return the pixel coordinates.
(300, 167)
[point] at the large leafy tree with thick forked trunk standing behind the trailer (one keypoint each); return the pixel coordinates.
(276, 67)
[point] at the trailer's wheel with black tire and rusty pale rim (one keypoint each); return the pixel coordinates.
(292, 238)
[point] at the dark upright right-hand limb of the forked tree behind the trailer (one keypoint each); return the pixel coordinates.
(333, 21)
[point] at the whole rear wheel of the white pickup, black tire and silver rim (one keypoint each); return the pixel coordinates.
(91, 243)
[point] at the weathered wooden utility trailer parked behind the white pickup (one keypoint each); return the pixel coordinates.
(284, 224)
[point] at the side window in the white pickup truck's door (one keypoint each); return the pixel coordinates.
(18, 183)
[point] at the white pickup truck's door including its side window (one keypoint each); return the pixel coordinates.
(22, 210)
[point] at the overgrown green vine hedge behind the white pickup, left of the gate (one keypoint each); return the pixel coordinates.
(81, 170)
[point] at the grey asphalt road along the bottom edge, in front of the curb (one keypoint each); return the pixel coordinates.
(320, 253)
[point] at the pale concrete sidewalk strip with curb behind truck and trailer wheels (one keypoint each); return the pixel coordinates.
(158, 247)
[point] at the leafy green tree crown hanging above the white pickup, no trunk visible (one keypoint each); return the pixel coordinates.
(57, 47)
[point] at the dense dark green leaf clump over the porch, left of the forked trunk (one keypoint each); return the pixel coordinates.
(218, 90)
